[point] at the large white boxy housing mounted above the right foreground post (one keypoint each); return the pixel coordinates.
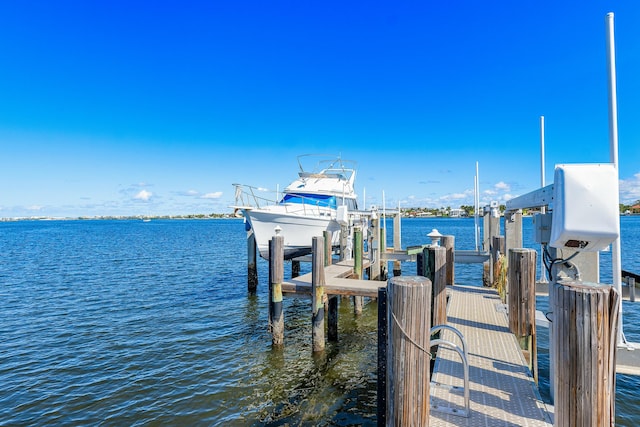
(585, 207)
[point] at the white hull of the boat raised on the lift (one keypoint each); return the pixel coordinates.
(298, 231)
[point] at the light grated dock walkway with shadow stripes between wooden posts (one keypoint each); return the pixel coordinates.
(502, 390)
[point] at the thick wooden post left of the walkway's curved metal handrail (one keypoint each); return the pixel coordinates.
(408, 350)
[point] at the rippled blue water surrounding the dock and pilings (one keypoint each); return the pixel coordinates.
(134, 323)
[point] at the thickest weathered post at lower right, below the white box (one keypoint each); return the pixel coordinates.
(585, 329)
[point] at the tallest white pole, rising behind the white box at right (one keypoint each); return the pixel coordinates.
(613, 154)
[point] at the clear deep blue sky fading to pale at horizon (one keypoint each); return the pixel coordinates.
(140, 107)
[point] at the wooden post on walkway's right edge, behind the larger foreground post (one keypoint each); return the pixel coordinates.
(522, 303)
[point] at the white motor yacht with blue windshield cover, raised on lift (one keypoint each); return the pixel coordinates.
(319, 199)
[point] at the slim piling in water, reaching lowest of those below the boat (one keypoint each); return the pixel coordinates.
(317, 293)
